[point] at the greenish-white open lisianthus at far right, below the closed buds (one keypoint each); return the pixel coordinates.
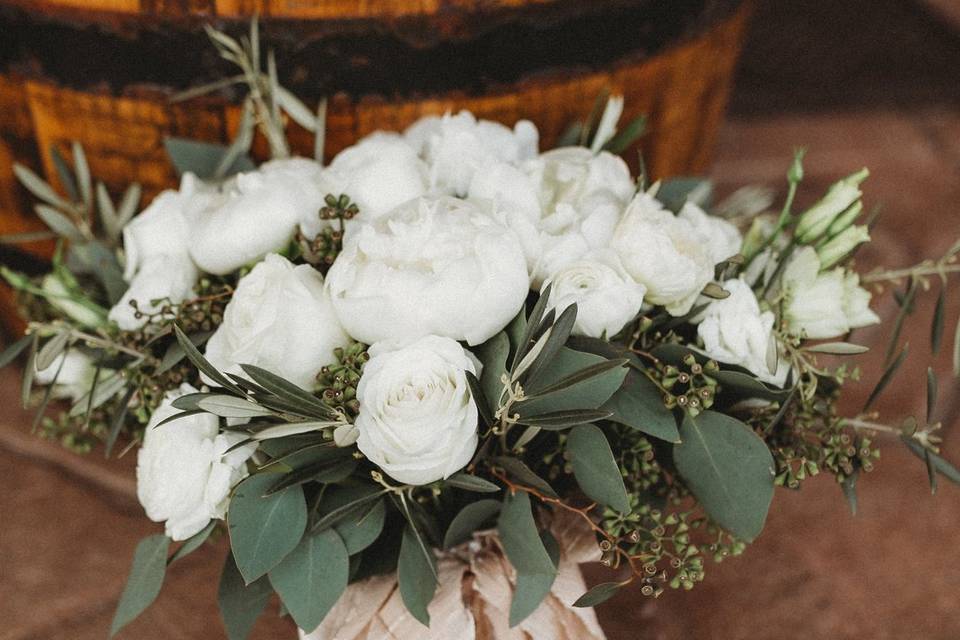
(823, 305)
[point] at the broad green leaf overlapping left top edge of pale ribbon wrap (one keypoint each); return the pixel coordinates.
(312, 577)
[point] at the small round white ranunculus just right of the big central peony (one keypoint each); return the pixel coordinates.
(606, 296)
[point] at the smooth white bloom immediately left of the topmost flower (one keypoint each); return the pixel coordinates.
(379, 173)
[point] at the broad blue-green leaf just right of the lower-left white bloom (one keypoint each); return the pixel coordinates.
(263, 530)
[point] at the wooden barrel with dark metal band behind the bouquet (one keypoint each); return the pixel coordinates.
(101, 72)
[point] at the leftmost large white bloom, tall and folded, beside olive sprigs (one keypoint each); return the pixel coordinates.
(157, 261)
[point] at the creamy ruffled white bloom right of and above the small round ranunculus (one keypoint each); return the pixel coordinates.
(663, 252)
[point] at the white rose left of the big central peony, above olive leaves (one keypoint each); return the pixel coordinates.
(280, 319)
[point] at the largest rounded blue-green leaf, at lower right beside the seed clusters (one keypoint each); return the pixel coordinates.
(729, 469)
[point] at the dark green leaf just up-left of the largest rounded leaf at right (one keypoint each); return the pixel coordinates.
(638, 404)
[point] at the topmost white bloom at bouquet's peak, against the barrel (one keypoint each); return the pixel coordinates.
(456, 146)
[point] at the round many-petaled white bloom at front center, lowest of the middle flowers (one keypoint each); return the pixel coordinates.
(418, 420)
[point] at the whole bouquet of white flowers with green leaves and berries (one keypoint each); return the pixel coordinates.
(446, 336)
